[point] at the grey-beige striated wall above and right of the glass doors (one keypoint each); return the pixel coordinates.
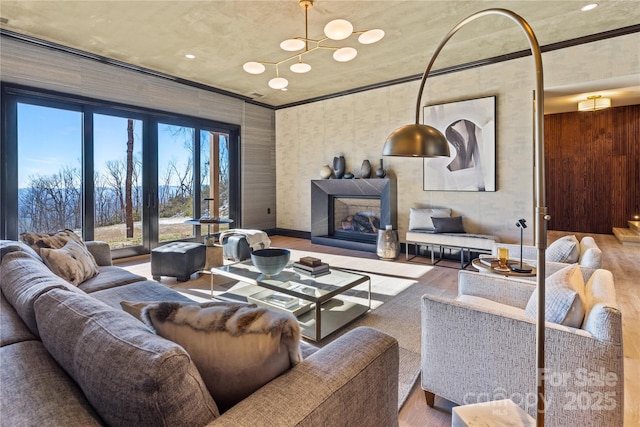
(26, 64)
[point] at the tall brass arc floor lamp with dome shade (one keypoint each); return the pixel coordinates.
(417, 140)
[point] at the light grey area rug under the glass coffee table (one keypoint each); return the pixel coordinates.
(395, 303)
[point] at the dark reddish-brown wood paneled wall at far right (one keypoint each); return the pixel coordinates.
(593, 169)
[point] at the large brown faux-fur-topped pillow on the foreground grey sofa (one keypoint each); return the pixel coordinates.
(237, 348)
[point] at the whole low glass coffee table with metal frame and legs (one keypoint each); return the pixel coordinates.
(317, 302)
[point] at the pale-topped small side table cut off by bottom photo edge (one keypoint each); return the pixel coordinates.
(499, 413)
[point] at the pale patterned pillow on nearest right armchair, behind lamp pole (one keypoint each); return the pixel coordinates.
(564, 298)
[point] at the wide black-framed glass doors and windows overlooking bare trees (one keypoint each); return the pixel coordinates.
(115, 173)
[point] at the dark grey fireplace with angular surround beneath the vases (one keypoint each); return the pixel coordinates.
(347, 213)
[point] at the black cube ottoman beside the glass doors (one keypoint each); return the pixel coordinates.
(177, 259)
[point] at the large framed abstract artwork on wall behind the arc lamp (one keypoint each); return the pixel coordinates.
(470, 129)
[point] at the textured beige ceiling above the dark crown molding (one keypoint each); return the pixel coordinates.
(223, 35)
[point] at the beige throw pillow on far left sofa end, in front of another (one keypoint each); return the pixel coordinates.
(72, 262)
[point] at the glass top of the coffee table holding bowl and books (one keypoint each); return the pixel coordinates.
(316, 289)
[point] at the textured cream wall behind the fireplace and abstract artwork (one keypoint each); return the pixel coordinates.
(357, 125)
